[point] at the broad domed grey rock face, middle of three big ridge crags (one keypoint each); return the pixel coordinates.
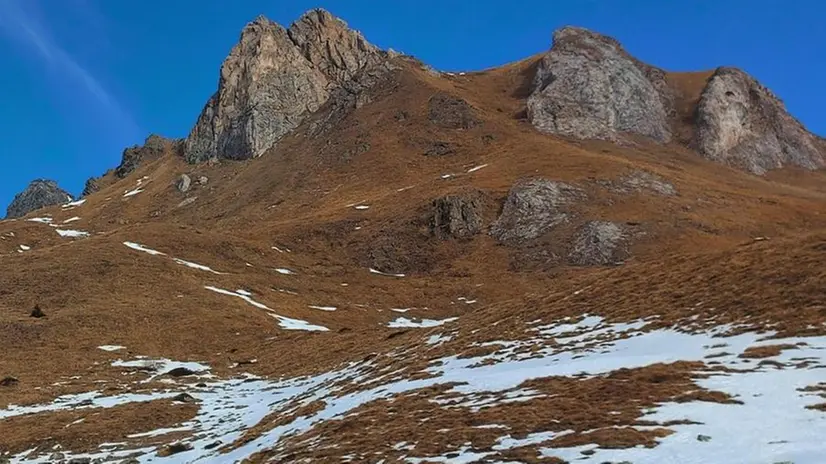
(588, 87)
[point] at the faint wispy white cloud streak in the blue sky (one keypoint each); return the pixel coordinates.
(20, 22)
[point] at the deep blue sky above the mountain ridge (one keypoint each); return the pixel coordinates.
(83, 79)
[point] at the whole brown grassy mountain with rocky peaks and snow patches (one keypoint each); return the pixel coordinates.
(577, 257)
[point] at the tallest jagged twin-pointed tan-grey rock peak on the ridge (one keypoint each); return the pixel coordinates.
(272, 80)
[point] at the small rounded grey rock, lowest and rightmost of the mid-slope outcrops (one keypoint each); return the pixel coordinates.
(598, 243)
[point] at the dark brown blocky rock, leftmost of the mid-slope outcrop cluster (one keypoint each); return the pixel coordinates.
(457, 216)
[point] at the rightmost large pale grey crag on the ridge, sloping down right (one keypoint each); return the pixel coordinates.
(741, 123)
